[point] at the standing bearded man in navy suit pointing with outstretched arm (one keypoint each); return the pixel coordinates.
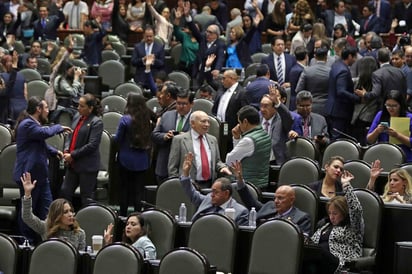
(32, 156)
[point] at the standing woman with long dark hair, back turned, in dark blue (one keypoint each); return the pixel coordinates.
(133, 137)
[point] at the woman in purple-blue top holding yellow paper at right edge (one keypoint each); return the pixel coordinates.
(381, 130)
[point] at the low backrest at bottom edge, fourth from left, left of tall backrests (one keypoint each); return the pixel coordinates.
(184, 261)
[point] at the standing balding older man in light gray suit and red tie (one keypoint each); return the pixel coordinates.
(203, 146)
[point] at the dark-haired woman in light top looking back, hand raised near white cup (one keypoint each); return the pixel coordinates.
(135, 234)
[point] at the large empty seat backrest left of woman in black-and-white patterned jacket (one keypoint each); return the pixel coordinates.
(264, 258)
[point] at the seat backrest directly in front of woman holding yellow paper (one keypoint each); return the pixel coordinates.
(390, 155)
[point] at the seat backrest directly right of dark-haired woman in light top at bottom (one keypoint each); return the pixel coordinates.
(161, 230)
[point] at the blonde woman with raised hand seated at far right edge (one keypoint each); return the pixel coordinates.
(398, 189)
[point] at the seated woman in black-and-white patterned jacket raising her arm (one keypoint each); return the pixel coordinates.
(340, 236)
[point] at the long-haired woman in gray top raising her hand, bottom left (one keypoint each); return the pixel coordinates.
(60, 222)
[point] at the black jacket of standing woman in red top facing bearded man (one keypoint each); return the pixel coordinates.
(86, 154)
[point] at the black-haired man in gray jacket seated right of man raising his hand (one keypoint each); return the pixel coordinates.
(313, 125)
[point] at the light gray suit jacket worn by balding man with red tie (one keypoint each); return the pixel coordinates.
(183, 144)
